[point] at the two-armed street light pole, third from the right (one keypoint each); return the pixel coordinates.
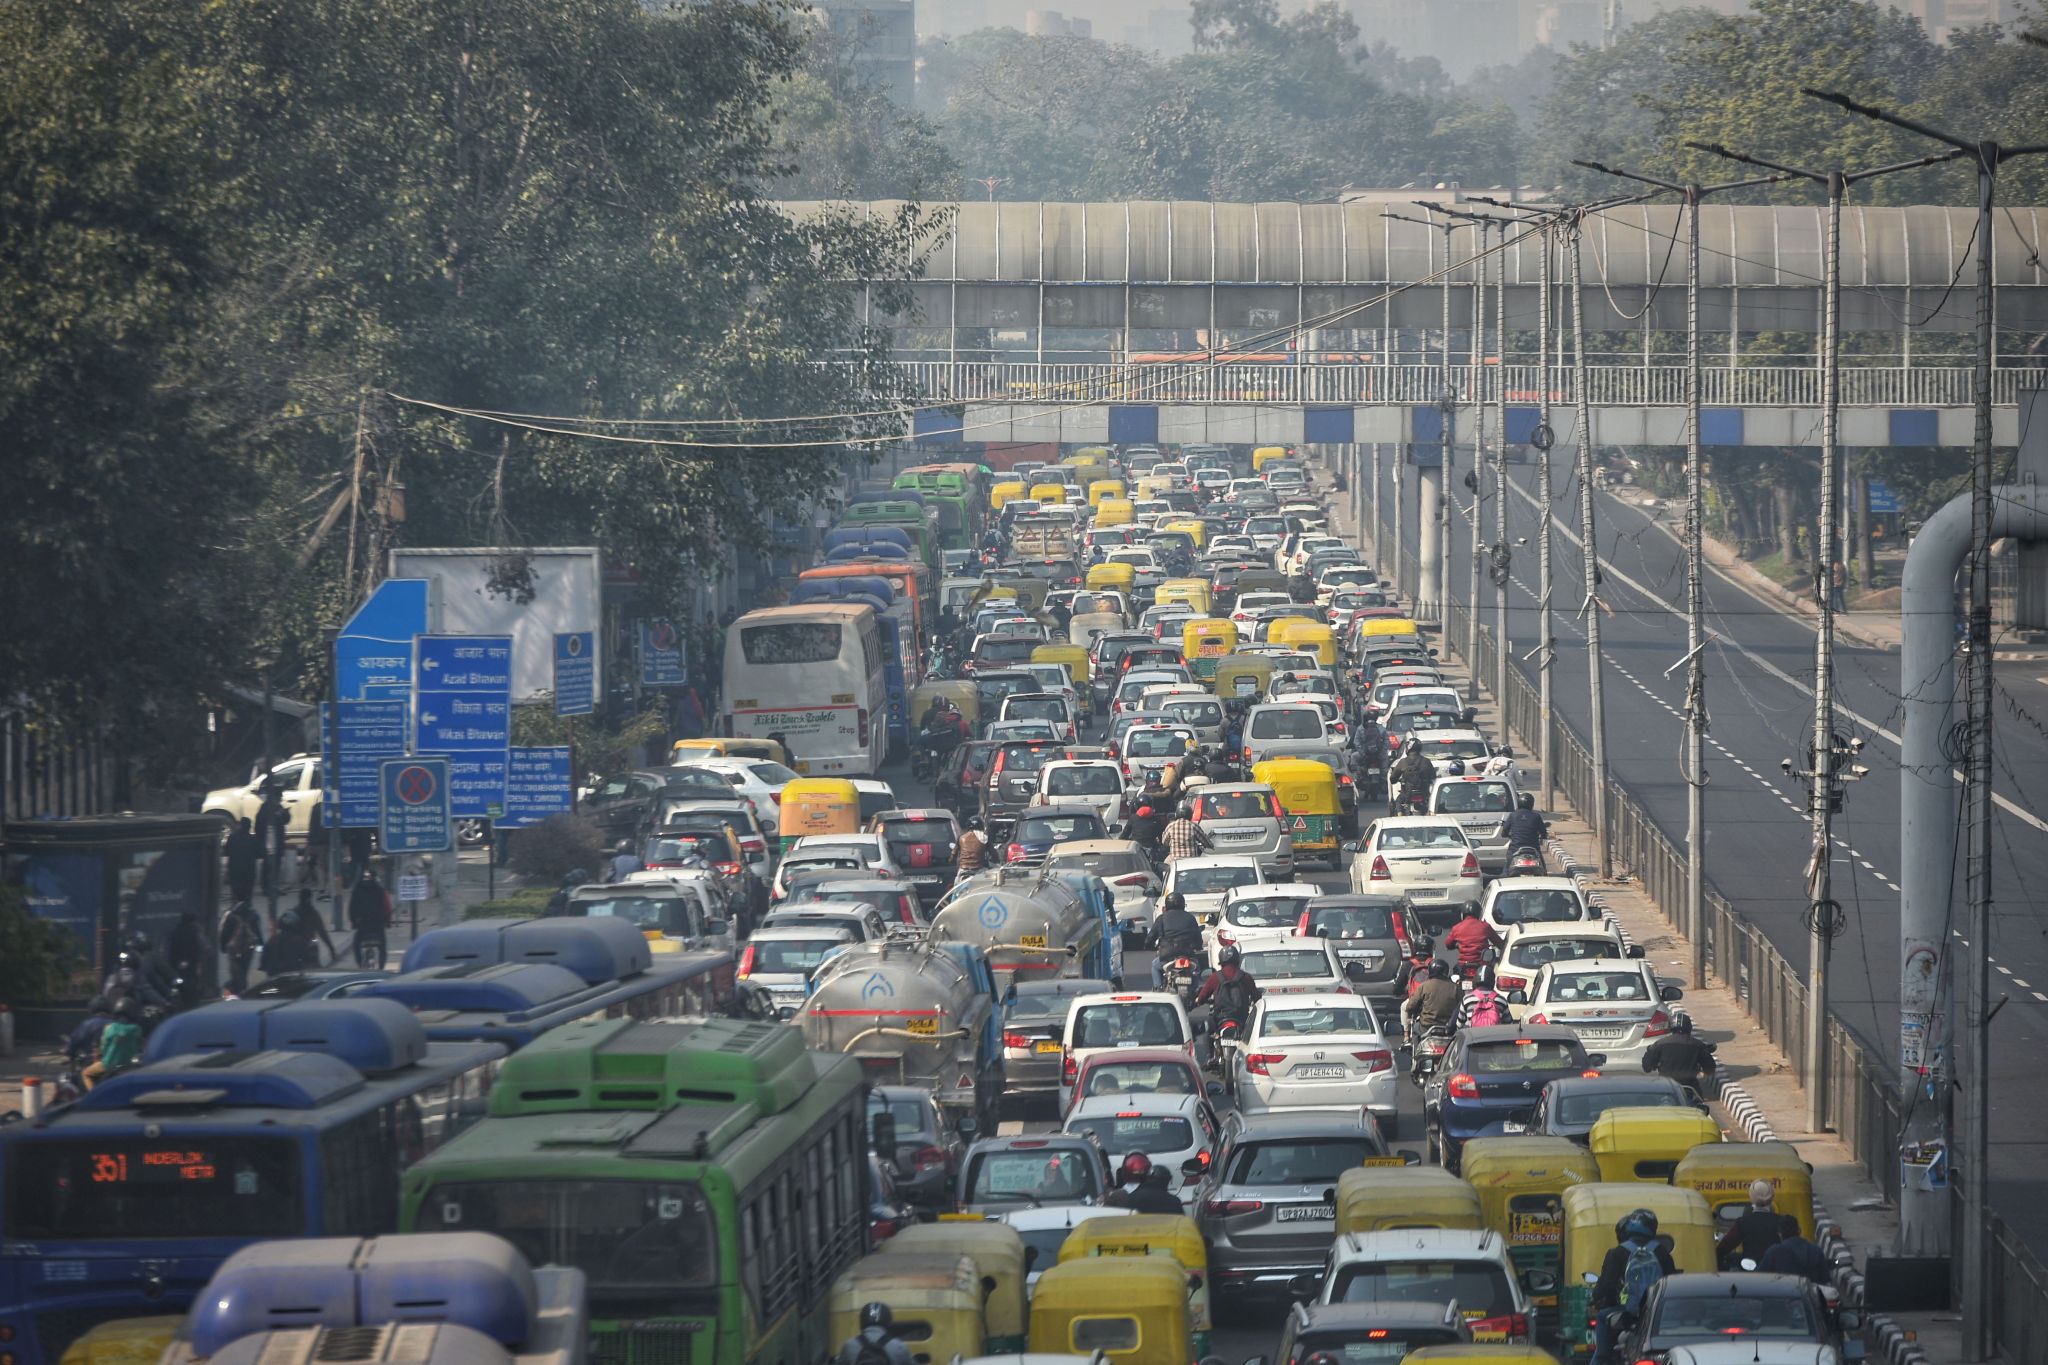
(1697, 721)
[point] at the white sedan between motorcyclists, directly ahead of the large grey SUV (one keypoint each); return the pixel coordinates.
(1316, 1053)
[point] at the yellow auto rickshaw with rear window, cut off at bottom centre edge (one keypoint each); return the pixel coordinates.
(1132, 1309)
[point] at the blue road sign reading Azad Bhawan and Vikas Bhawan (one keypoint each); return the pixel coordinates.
(462, 707)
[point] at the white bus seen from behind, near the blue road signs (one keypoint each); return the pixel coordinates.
(814, 676)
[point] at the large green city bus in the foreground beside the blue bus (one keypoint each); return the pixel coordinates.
(708, 1176)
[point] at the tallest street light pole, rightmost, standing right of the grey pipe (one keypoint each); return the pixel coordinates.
(1975, 1165)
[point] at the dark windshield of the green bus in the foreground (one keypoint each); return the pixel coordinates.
(630, 1237)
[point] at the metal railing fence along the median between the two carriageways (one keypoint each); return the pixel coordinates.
(1863, 1102)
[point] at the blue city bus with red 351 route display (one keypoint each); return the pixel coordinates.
(124, 1202)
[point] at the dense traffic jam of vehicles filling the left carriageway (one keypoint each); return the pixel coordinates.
(759, 1088)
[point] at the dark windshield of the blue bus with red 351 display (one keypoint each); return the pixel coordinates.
(93, 1190)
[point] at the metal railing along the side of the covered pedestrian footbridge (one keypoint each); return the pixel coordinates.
(1621, 386)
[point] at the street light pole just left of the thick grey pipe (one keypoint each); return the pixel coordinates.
(1824, 791)
